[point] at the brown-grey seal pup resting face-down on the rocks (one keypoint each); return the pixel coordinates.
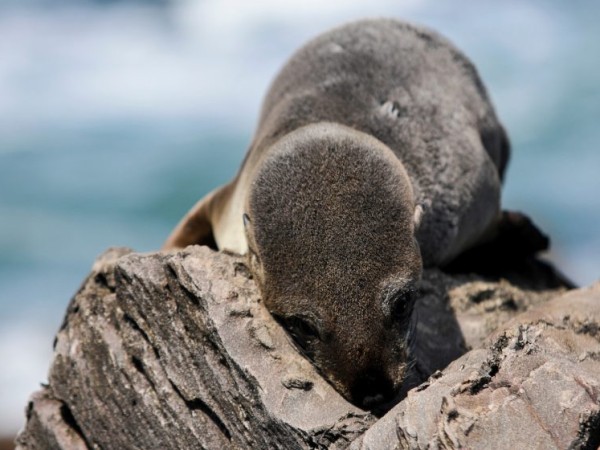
(377, 152)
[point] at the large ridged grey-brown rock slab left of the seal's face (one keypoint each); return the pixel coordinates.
(175, 351)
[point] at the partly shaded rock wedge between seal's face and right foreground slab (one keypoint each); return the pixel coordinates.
(456, 313)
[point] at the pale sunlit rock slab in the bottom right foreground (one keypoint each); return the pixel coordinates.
(534, 384)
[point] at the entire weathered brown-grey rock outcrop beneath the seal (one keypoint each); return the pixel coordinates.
(177, 351)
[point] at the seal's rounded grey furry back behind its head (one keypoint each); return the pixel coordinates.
(415, 92)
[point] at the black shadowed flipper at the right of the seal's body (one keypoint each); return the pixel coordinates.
(511, 253)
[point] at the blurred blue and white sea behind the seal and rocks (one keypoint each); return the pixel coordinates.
(116, 116)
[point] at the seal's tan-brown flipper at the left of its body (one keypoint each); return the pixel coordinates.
(196, 227)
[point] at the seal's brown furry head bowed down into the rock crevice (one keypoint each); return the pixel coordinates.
(331, 237)
